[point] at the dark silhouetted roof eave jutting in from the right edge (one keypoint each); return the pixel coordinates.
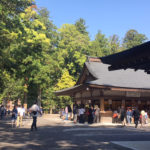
(137, 57)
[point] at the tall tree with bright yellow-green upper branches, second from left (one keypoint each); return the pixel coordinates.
(35, 63)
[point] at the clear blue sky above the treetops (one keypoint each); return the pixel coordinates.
(109, 16)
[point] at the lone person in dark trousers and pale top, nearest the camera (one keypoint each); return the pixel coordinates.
(34, 111)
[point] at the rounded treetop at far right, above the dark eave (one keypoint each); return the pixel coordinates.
(133, 38)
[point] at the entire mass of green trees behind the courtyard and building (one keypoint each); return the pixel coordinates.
(34, 53)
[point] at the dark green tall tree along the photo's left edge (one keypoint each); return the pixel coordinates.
(10, 33)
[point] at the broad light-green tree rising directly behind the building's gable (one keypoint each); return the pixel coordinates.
(72, 49)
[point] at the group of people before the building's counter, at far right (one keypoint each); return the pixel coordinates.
(130, 115)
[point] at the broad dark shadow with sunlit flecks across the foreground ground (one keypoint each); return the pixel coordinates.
(55, 137)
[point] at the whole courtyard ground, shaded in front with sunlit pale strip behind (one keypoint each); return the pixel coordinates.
(55, 134)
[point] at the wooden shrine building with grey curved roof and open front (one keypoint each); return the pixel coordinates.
(109, 89)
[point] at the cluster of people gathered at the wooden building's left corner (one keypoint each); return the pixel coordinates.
(81, 114)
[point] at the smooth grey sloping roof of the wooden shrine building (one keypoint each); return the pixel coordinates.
(119, 78)
